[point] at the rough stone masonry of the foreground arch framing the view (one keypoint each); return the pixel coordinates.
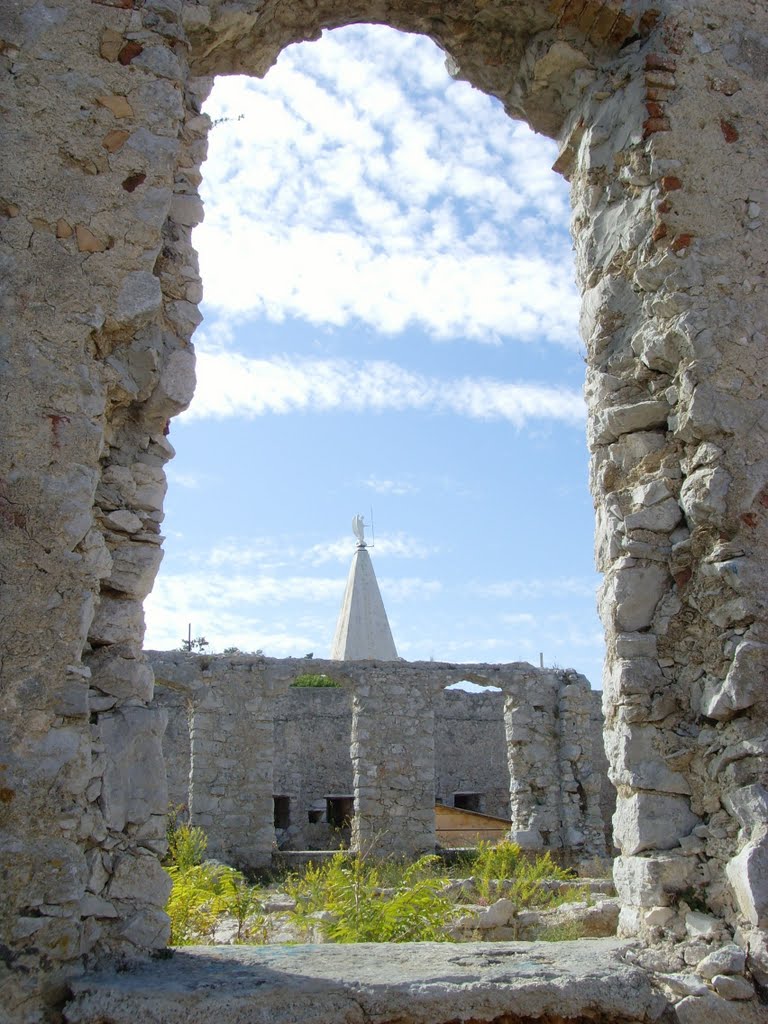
(659, 109)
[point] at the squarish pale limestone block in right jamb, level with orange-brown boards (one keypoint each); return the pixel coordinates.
(652, 821)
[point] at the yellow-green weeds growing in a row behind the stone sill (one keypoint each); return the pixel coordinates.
(354, 899)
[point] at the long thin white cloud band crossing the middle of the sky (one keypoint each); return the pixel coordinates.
(233, 386)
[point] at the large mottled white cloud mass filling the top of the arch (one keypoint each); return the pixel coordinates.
(347, 195)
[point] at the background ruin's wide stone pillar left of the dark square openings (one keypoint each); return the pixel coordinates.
(231, 791)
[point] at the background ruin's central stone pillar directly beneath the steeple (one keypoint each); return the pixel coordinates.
(394, 761)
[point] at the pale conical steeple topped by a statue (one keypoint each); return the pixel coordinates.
(363, 631)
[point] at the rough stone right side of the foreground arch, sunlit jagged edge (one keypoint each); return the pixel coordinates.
(665, 158)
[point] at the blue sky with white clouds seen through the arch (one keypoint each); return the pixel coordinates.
(391, 321)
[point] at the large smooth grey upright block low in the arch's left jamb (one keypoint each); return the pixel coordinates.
(135, 782)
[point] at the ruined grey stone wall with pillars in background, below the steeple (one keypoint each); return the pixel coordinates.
(254, 737)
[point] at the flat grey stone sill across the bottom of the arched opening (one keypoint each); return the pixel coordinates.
(408, 984)
